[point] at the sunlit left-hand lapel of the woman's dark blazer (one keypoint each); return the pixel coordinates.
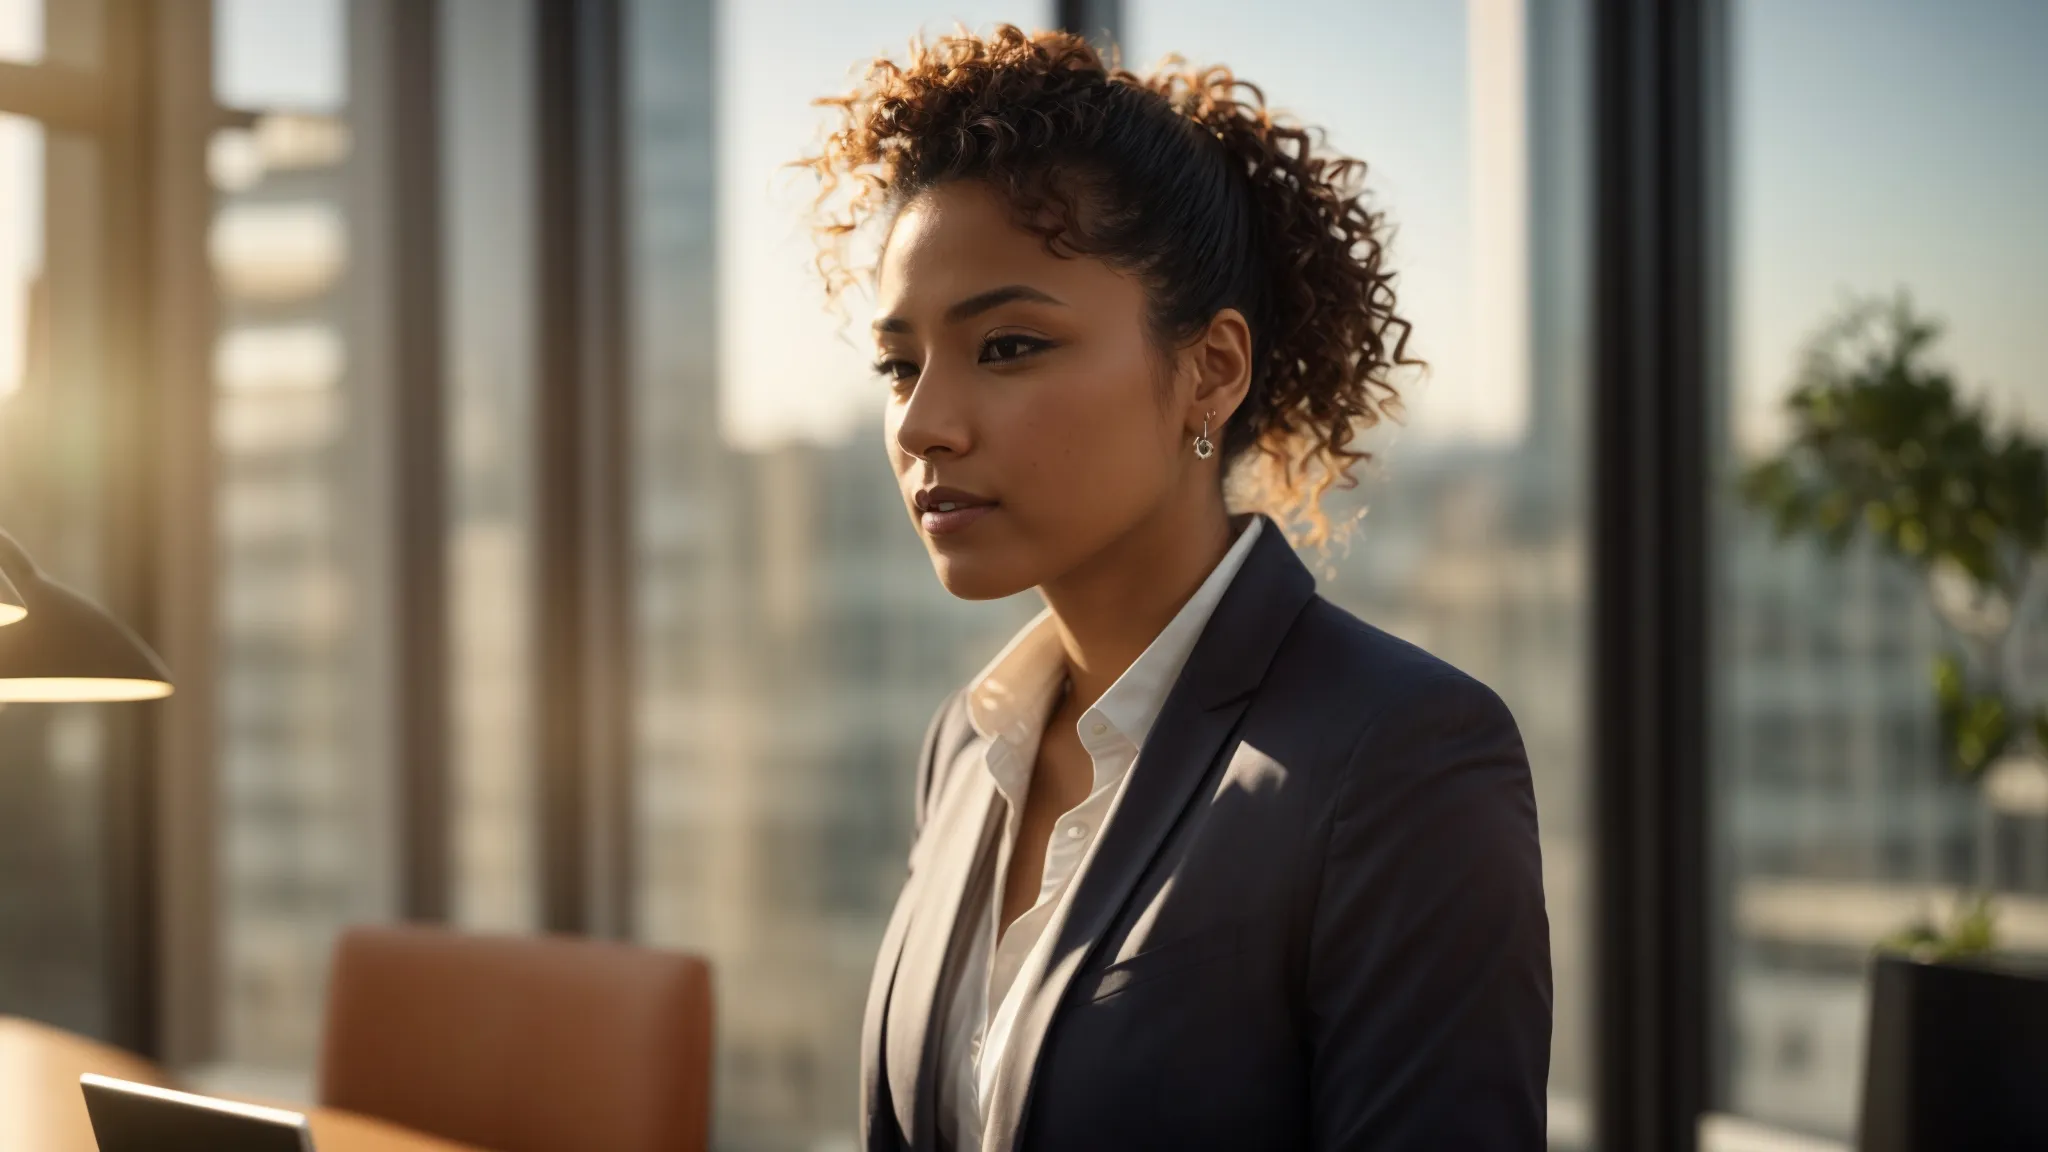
(959, 835)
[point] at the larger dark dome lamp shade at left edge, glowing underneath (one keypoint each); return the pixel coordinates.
(65, 649)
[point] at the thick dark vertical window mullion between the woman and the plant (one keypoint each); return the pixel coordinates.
(1654, 65)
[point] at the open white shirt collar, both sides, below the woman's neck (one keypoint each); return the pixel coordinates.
(1015, 690)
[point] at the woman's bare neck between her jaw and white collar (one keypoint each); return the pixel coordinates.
(1111, 608)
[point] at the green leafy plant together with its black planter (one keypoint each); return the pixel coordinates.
(1883, 448)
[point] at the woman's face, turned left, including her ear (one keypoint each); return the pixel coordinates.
(1025, 395)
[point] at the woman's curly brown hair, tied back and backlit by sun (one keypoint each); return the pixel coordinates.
(1211, 200)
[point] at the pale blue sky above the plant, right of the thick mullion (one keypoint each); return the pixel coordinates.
(1883, 145)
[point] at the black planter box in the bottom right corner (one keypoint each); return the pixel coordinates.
(1957, 1059)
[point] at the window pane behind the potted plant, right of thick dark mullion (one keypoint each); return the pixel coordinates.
(1842, 841)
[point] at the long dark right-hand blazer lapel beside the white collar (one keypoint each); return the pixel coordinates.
(1195, 725)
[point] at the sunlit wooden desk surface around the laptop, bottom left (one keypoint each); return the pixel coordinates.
(42, 1108)
